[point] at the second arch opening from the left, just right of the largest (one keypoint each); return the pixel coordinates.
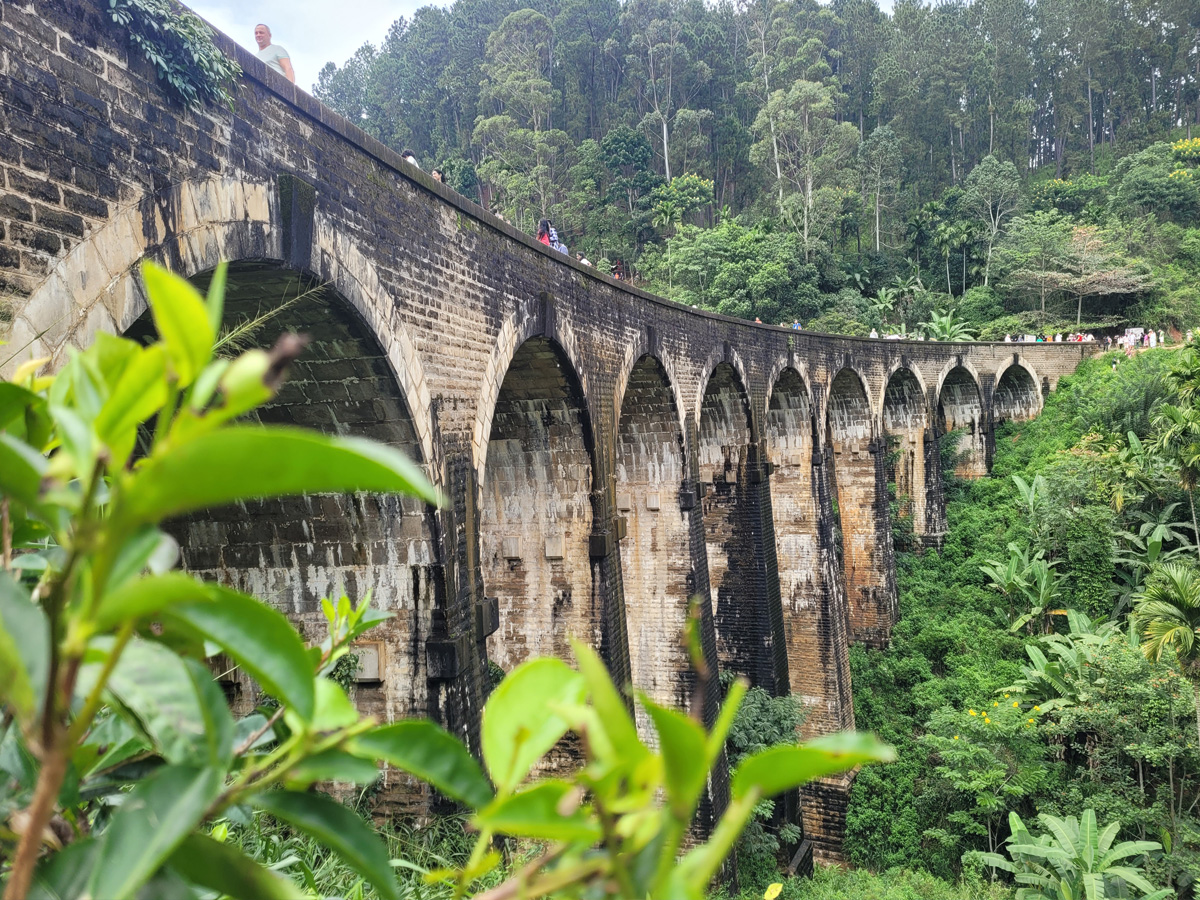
(536, 511)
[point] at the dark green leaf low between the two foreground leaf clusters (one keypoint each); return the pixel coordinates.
(427, 751)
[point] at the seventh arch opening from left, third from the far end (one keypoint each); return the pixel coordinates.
(905, 421)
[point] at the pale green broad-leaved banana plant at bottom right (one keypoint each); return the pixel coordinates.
(1075, 861)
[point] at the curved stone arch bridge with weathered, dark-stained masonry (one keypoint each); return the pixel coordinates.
(608, 454)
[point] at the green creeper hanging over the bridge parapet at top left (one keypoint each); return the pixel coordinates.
(181, 47)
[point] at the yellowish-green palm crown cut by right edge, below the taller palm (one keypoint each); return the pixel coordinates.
(1168, 615)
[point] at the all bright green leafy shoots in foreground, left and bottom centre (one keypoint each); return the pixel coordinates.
(119, 733)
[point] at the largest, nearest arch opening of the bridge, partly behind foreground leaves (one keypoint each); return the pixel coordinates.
(295, 553)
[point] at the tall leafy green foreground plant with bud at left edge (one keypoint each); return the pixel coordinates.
(118, 727)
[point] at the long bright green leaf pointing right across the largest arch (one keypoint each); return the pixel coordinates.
(251, 461)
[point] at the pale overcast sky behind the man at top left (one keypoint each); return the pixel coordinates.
(316, 32)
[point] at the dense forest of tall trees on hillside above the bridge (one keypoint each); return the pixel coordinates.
(826, 164)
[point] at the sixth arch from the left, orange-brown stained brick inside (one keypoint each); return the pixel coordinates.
(861, 491)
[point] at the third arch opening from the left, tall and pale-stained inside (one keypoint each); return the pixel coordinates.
(656, 554)
